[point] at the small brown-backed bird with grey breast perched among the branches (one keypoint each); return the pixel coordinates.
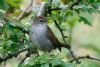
(42, 36)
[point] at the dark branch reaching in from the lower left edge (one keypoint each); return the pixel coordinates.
(13, 55)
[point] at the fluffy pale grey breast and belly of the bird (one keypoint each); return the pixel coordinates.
(39, 38)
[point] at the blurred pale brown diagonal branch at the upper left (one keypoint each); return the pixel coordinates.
(26, 11)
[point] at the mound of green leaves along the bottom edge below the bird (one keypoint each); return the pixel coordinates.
(48, 61)
